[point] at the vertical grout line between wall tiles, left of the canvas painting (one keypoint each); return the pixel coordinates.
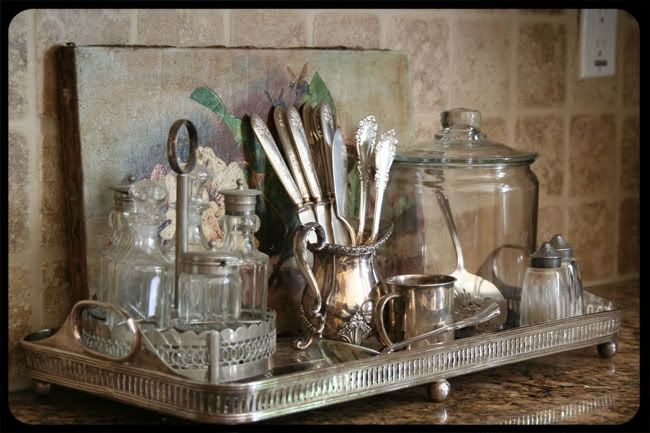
(35, 140)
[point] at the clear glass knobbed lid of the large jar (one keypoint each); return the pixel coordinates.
(462, 142)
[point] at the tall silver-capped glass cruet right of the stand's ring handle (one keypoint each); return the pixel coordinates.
(239, 225)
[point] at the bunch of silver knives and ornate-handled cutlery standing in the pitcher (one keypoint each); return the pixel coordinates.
(313, 169)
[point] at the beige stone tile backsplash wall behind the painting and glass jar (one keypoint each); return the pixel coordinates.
(519, 67)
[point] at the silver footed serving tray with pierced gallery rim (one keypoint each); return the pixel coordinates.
(298, 382)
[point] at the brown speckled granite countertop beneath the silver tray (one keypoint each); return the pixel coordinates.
(575, 387)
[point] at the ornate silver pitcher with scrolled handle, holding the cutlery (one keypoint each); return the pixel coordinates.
(343, 287)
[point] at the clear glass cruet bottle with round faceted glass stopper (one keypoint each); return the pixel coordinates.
(143, 274)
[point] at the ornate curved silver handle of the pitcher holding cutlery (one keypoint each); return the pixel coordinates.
(300, 252)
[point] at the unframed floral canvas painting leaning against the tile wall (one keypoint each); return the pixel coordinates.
(117, 104)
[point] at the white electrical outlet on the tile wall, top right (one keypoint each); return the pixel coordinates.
(597, 42)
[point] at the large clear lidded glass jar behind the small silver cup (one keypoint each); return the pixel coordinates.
(492, 194)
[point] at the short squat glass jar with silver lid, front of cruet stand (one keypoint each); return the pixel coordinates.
(210, 291)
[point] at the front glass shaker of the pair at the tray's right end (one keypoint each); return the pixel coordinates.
(545, 292)
